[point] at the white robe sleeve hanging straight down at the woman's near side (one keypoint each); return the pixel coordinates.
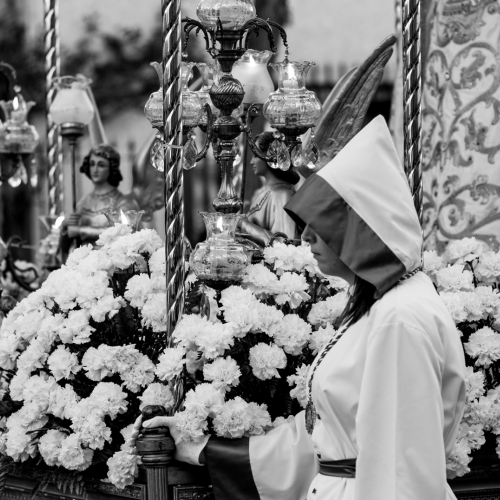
(400, 418)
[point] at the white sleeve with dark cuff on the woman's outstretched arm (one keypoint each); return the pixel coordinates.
(277, 466)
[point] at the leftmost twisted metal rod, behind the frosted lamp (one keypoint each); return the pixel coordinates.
(54, 140)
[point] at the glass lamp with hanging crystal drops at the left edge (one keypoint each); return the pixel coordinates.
(18, 139)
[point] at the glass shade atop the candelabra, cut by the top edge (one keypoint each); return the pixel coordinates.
(233, 14)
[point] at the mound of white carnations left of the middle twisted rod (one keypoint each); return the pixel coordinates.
(56, 342)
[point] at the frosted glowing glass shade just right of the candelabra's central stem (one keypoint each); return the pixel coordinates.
(251, 70)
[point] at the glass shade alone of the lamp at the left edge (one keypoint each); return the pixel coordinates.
(17, 136)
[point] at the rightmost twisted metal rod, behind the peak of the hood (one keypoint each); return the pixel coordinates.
(412, 119)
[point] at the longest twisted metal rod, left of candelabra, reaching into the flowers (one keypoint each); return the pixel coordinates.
(174, 189)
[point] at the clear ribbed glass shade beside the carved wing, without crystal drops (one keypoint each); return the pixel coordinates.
(292, 106)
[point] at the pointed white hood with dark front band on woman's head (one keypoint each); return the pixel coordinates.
(360, 204)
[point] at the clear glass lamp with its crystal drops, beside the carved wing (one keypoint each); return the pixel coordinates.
(292, 110)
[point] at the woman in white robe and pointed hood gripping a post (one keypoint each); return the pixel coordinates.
(389, 395)
